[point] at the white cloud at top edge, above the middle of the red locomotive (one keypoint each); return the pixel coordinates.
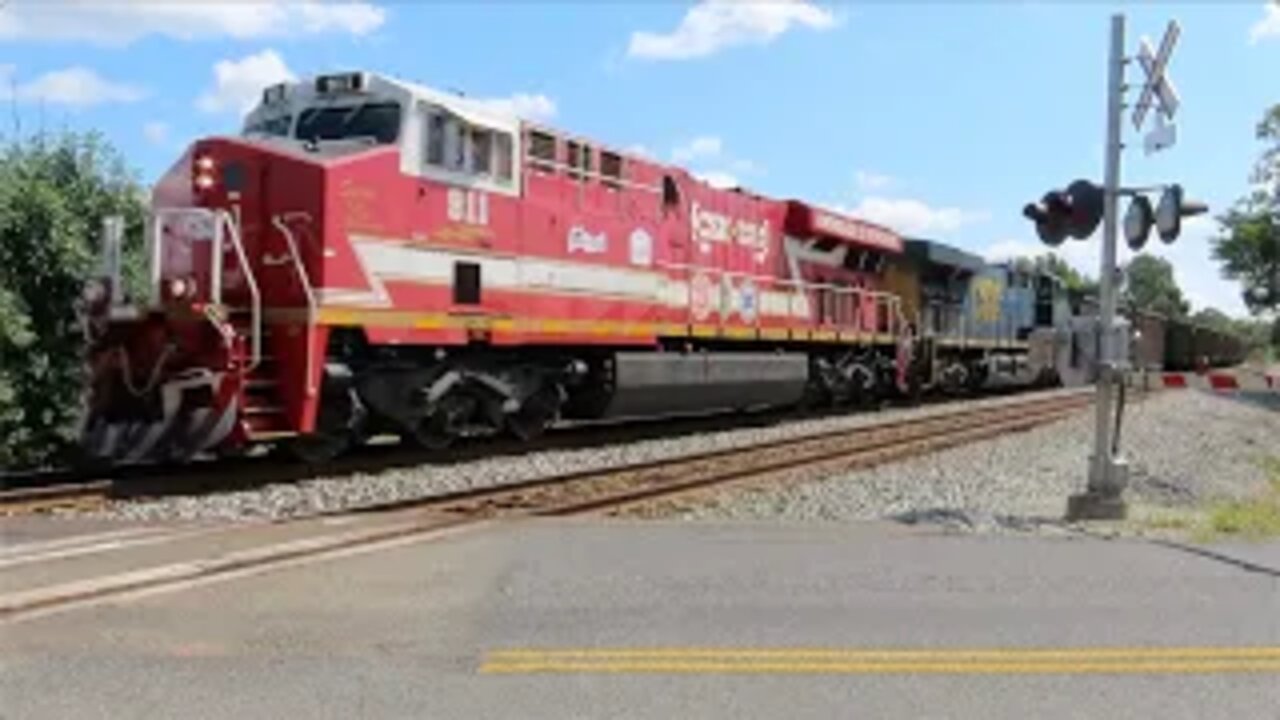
(715, 25)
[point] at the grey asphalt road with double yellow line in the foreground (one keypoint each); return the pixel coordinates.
(588, 619)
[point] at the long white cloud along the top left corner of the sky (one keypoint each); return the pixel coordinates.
(117, 22)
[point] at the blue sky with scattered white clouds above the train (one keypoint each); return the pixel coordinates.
(940, 120)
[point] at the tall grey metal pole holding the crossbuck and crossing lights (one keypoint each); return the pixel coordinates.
(1107, 470)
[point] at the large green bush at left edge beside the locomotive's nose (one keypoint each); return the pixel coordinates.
(54, 193)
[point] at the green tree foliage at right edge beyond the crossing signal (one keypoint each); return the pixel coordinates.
(1250, 250)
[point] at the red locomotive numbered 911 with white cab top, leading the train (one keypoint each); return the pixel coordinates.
(372, 256)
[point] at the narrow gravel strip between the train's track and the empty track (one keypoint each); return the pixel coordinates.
(336, 494)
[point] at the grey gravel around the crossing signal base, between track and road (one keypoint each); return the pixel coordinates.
(1185, 448)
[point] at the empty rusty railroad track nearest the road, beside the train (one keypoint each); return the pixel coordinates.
(260, 546)
